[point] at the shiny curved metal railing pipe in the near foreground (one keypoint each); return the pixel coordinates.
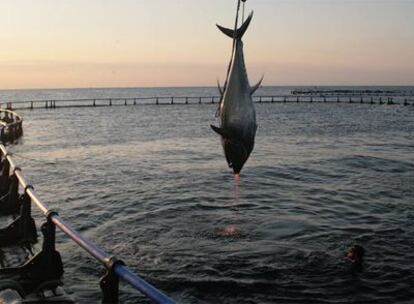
(114, 266)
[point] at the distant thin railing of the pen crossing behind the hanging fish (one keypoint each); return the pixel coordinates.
(171, 100)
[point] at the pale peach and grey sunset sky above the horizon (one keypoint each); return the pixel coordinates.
(140, 43)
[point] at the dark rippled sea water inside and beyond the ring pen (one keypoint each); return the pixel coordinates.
(150, 184)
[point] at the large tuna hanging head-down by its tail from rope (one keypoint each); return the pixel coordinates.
(236, 111)
